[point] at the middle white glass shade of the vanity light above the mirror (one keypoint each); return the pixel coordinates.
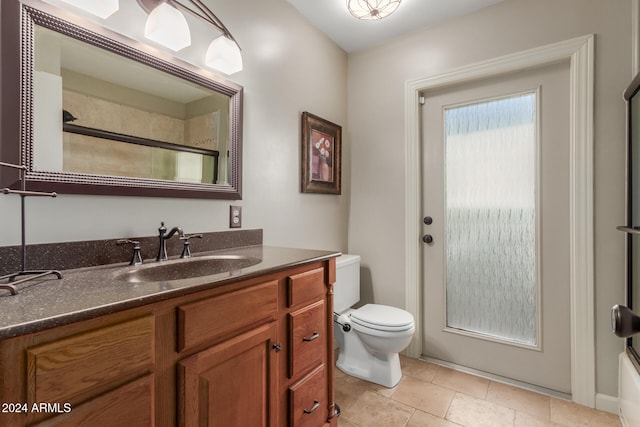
(168, 26)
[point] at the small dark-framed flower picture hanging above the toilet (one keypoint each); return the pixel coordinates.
(321, 155)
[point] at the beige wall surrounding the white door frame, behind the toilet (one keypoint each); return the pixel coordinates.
(376, 133)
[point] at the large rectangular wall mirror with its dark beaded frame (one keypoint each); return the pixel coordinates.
(99, 115)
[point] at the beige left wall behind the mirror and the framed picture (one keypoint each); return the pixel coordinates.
(290, 67)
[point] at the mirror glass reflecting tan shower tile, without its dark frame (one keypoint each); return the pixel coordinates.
(148, 126)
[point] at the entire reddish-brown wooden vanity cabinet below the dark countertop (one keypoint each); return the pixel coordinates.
(257, 352)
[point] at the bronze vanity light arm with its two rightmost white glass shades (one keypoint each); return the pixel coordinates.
(223, 53)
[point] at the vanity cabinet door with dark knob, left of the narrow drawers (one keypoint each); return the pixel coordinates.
(231, 384)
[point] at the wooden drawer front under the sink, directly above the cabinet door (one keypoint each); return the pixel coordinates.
(223, 316)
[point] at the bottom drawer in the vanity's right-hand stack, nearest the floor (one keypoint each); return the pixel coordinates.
(308, 400)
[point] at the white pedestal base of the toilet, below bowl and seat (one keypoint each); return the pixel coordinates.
(382, 369)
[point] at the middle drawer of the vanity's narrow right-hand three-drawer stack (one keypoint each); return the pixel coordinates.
(307, 338)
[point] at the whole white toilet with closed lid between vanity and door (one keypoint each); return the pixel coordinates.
(369, 337)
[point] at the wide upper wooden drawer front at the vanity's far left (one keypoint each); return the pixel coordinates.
(98, 360)
